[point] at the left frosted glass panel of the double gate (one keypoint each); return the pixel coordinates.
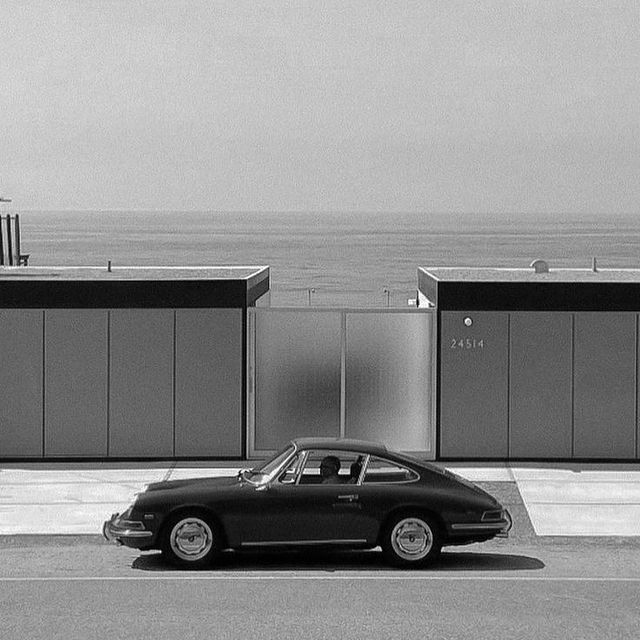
(297, 376)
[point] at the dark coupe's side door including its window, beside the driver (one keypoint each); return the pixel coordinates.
(298, 508)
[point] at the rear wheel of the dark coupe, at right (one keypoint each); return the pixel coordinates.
(411, 540)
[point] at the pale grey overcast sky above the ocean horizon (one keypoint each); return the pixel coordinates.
(463, 106)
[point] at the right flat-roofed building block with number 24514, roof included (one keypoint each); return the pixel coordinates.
(535, 363)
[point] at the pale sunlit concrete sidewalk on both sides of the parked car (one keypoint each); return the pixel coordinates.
(75, 498)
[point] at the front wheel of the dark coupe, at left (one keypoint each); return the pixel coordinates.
(190, 540)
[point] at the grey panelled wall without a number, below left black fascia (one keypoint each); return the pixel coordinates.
(121, 383)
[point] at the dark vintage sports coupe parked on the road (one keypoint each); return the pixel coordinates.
(315, 492)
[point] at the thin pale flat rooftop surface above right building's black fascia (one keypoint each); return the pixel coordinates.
(503, 274)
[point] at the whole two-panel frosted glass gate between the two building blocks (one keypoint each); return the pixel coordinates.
(365, 374)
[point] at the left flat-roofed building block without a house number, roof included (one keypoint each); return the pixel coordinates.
(125, 362)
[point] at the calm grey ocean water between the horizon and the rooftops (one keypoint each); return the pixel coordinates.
(349, 259)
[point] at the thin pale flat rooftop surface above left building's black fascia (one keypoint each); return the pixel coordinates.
(130, 273)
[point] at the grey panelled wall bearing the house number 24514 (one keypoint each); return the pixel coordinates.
(538, 385)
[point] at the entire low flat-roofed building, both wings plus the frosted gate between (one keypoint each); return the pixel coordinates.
(178, 363)
